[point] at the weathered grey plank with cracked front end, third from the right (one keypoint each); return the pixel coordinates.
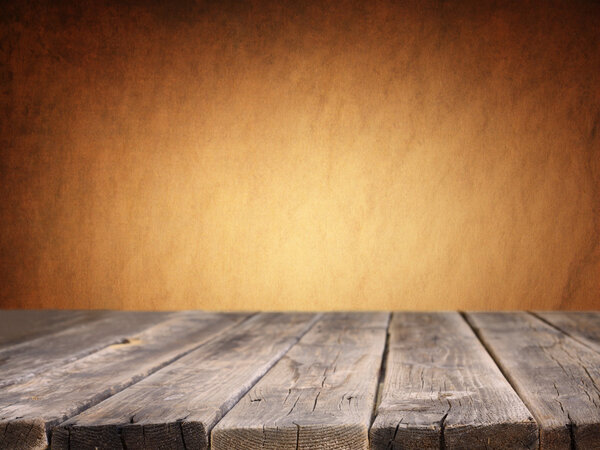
(442, 390)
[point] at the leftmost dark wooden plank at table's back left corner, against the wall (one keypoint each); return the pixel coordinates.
(19, 325)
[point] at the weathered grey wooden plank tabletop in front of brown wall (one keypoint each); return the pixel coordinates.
(193, 379)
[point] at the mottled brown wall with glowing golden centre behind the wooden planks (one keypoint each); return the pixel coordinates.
(330, 155)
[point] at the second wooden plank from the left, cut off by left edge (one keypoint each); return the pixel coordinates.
(23, 361)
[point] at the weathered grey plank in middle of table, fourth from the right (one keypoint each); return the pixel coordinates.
(320, 395)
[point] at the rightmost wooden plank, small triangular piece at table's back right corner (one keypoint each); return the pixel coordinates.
(581, 326)
